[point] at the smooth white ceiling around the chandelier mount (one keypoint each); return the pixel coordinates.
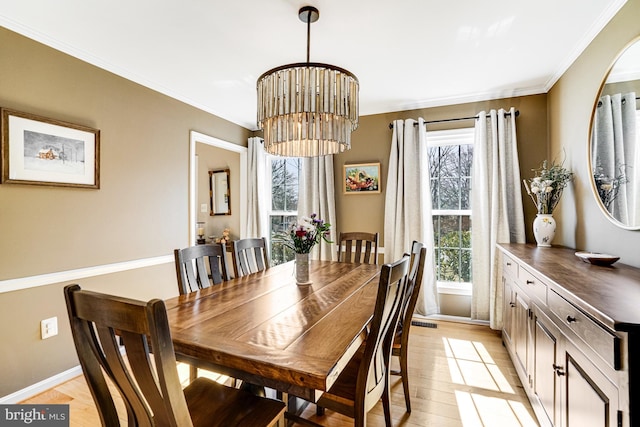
(407, 54)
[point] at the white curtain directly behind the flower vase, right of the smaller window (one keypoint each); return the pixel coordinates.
(317, 195)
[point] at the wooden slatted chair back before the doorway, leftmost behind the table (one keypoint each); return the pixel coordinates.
(200, 266)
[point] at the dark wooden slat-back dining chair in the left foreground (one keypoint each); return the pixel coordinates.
(148, 380)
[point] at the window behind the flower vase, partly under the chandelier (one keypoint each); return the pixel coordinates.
(283, 207)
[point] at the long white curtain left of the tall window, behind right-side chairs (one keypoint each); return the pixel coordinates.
(407, 210)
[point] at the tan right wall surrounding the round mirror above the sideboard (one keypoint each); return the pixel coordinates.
(581, 224)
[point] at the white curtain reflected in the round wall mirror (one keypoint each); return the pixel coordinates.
(614, 151)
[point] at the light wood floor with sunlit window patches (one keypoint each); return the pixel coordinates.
(460, 375)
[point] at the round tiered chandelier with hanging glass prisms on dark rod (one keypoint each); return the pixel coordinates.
(307, 109)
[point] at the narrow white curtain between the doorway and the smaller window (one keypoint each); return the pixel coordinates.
(256, 204)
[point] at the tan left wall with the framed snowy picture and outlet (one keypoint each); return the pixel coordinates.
(140, 211)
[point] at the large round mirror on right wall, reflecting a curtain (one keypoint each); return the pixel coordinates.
(614, 151)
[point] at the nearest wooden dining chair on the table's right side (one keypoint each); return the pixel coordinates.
(365, 379)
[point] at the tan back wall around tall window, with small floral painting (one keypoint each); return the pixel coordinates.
(371, 142)
